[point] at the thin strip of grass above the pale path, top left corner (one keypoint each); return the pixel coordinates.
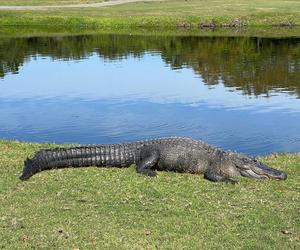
(45, 2)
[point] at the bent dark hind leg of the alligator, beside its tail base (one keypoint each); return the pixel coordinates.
(147, 161)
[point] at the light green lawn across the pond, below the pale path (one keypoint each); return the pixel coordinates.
(167, 14)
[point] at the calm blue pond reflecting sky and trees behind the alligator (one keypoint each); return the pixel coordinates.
(237, 93)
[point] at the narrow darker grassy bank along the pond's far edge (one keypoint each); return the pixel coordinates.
(40, 31)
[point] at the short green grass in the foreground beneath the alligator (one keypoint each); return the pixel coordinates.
(98, 208)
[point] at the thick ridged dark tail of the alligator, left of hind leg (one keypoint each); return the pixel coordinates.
(99, 155)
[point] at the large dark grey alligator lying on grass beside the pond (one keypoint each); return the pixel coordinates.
(178, 154)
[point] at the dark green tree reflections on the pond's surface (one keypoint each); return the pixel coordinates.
(253, 65)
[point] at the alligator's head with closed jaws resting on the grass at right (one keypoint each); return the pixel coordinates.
(251, 167)
